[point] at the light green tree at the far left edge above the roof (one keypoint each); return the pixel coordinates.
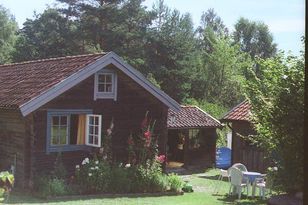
(8, 29)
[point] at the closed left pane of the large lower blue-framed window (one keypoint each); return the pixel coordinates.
(59, 130)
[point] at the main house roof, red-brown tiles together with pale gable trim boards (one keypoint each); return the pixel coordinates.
(29, 85)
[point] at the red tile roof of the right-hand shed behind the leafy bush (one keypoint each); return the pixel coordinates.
(239, 112)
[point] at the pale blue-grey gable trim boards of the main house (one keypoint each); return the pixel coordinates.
(87, 71)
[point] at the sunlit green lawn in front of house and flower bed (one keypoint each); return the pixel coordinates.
(207, 190)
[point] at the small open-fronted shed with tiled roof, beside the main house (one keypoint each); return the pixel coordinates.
(191, 137)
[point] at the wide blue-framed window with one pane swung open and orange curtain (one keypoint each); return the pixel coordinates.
(70, 130)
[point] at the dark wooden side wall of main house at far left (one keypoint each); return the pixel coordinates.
(12, 143)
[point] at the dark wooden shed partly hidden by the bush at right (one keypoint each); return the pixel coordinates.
(243, 151)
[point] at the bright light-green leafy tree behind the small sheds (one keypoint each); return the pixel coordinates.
(219, 75)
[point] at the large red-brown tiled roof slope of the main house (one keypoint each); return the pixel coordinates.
(20, 82)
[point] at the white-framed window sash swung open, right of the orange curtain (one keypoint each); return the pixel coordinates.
(93, 130)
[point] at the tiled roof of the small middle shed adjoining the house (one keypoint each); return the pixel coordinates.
(190, 117)
